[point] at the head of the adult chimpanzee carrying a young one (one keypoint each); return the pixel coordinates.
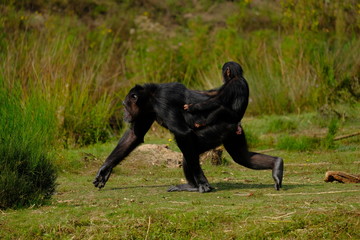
(136, 103)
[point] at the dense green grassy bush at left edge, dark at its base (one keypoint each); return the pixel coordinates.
(27, 175)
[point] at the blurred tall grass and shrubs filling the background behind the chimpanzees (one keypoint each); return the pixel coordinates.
(67, 65)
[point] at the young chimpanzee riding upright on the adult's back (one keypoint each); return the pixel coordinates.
(229, 103)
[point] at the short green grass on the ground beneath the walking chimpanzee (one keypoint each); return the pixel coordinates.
(135, 205)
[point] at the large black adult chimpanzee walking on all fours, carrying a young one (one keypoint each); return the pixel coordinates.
(164, 103)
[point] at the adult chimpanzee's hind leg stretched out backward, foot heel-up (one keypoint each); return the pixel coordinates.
(236, 146)
